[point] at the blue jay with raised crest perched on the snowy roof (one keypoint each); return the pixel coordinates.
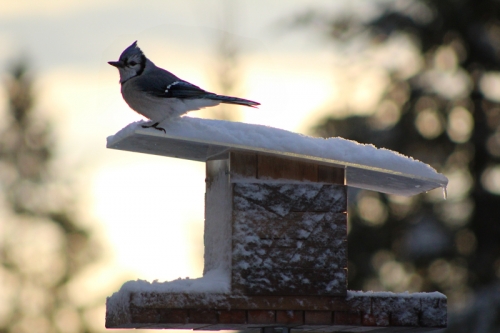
(158, 94)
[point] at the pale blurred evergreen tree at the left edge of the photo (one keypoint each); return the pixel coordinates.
(43, 243)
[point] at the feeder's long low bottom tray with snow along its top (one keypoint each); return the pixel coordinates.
(139, 305)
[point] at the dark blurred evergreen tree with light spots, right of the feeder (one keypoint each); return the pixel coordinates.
(441, 108)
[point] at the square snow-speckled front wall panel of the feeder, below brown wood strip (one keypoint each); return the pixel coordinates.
(297, 230)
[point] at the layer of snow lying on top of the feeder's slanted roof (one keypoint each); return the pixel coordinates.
(265, 138)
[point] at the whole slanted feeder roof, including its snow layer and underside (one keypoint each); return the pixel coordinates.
(197, 139)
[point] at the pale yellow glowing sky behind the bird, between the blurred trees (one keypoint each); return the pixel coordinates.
(150, 209)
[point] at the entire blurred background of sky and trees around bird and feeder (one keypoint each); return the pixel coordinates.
(77, 220)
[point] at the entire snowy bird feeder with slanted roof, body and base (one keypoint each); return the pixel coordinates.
(275, 234)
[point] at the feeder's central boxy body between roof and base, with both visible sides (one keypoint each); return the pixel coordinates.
(277, 226)
